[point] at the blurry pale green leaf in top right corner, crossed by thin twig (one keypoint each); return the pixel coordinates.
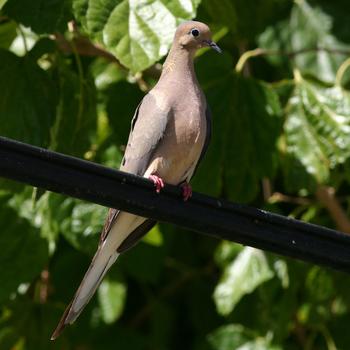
(309, 29)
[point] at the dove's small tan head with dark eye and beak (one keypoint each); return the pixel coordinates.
(193, 35)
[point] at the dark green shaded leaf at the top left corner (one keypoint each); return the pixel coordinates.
(42, 16)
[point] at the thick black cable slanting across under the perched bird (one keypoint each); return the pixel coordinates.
(214, 217)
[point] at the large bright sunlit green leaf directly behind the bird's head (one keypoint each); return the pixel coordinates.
(139, 33)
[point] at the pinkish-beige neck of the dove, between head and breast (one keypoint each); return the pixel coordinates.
(179, 63)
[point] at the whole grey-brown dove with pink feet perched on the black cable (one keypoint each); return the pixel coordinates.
(170, 133)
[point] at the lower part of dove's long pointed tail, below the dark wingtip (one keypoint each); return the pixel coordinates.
(100, 264)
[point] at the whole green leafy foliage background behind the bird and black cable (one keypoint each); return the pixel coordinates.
(72, 73)
